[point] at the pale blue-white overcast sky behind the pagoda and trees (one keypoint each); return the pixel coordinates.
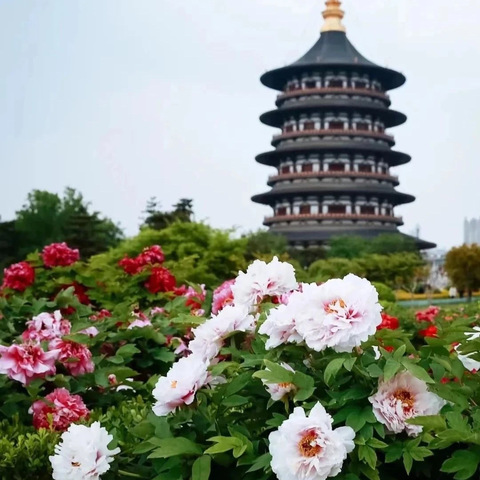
(128, 99)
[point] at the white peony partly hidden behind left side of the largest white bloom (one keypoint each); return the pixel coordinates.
(280, 324)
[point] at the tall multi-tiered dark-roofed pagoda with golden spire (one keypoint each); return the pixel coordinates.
(333, 154)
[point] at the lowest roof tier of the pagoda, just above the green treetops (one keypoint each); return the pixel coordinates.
(303, 237)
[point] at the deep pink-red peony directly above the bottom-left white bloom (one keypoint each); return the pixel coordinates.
(58, 410)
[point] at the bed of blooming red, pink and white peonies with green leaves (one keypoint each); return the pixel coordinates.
(127, 372)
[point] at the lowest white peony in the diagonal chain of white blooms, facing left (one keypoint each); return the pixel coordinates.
(180, 384)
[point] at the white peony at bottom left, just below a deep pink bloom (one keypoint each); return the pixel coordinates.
(83, 453)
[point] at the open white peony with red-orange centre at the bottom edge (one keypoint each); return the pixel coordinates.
(308, 448)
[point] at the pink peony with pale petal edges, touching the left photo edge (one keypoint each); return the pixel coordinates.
(26, 362)
